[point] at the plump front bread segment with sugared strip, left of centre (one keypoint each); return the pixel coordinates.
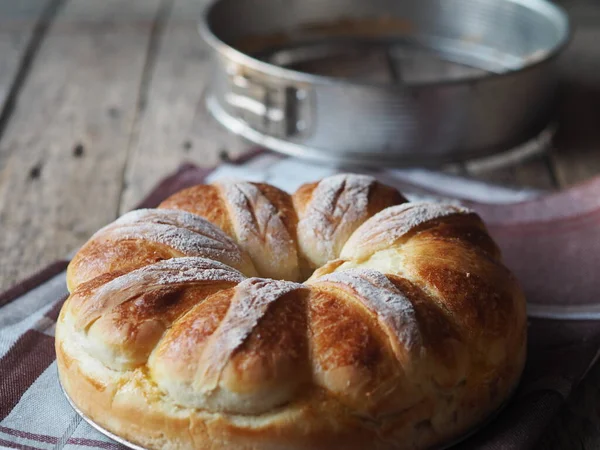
(241, 366)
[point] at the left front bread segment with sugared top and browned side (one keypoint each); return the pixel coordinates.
(120, 321)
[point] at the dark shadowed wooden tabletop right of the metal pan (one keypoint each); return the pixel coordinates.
(574, 155)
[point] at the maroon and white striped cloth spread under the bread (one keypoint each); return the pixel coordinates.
(550, 241)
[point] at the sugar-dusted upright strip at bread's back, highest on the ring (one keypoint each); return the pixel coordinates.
(338, 206)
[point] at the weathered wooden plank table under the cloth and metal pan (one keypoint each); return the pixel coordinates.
(100, 99)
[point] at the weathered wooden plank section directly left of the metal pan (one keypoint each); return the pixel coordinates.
(175, 126)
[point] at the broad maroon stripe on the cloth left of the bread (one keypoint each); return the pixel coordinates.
(22, 365)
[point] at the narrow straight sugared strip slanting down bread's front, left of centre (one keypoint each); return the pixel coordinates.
(249, 304)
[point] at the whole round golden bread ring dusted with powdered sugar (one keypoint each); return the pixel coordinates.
(408, 332)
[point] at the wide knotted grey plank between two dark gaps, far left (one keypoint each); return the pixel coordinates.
(69, 134)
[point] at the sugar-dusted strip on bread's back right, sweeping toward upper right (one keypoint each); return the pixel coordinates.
(388, 226)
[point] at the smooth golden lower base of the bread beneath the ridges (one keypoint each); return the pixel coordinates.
(129, 409)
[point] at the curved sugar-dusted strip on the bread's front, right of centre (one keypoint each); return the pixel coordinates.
(394, 310)
